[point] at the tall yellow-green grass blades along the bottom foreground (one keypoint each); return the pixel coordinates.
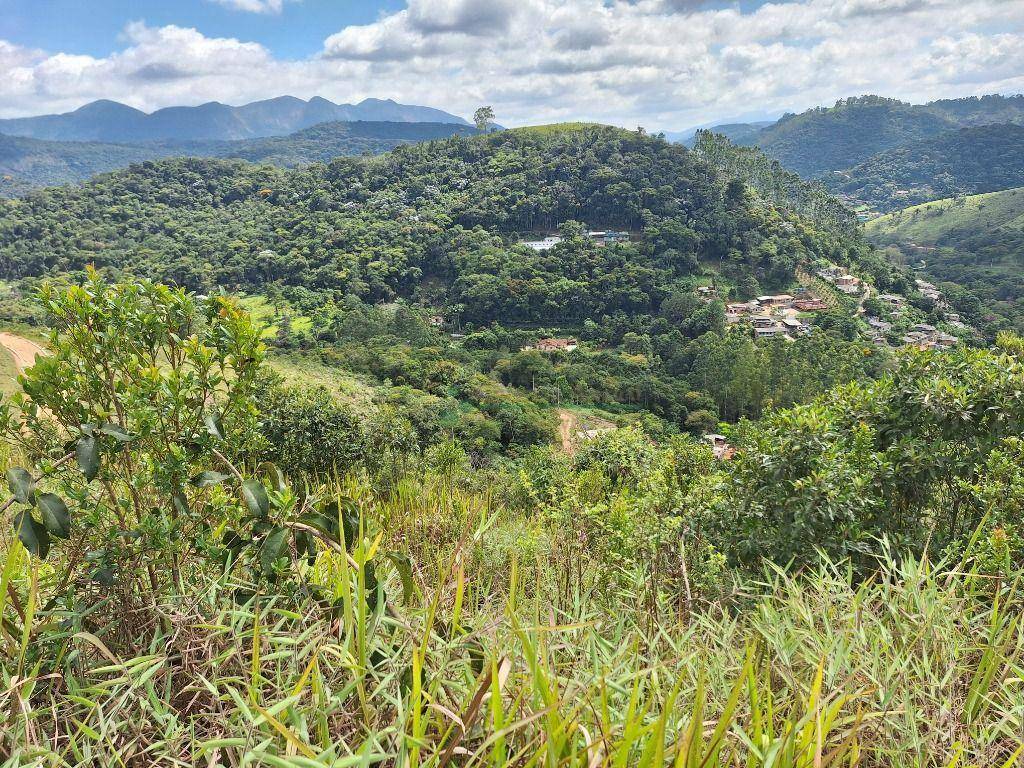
(485, 666)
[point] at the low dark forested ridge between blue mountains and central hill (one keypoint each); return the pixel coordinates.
(30, 163)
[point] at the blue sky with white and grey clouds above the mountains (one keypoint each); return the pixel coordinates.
(664, 65)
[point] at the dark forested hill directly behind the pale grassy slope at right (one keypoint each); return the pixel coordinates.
(967, 161)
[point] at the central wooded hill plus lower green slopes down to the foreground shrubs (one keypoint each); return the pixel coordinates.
(407, 271)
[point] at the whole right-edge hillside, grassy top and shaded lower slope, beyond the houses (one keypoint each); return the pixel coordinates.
(976, 242)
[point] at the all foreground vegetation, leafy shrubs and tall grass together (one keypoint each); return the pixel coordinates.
(169, 598)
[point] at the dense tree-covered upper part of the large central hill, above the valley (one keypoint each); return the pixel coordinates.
(436, 221)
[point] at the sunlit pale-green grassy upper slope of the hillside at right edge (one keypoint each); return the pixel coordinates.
(943, 221)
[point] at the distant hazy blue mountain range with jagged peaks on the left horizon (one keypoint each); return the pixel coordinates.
(115, 122)
